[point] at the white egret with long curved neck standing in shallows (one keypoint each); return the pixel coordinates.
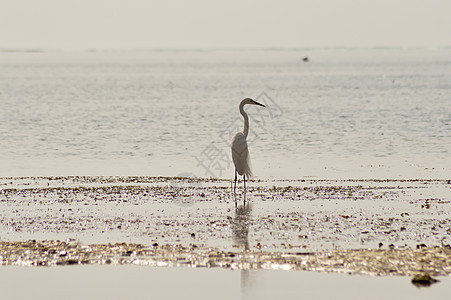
(240, 152)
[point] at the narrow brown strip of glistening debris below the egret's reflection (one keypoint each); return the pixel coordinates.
(434, 261)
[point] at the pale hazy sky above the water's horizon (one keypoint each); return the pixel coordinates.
(217, 24)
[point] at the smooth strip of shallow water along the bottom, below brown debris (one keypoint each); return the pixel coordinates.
(119, 282)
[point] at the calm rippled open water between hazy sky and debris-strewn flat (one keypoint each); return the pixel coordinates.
(346, 113)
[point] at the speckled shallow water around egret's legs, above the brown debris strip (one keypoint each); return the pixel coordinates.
(313, 215)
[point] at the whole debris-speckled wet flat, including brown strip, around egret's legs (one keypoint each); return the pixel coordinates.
(376, 227)
